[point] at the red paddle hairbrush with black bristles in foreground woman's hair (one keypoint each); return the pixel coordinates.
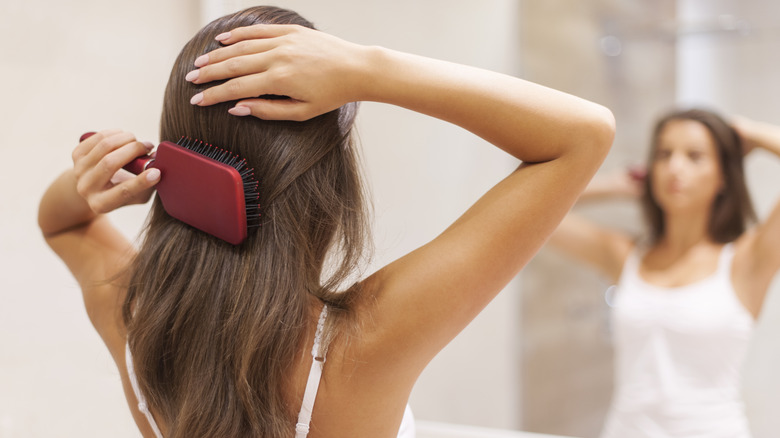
(204, 186)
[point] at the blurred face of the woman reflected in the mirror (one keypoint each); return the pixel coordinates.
(686, 171)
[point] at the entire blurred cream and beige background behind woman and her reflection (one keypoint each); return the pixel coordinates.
(539, 357)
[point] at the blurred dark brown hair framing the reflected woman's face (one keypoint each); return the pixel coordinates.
(732, 210)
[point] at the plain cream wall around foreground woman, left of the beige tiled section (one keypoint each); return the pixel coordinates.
(82, 65)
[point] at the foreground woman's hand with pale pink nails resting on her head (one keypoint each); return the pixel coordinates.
(312, 71)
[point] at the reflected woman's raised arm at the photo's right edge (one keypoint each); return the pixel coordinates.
(762, 245)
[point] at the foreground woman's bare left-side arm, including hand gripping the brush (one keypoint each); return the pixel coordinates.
(71, 218)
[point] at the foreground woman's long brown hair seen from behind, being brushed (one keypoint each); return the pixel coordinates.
(214, 328)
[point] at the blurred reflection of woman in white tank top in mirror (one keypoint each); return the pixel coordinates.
(687, 298)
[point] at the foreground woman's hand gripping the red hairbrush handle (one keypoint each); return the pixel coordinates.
(100, 180)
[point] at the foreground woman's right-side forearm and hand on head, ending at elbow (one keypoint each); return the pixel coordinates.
(319, 72)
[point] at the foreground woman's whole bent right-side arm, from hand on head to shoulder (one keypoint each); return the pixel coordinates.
(427, 297)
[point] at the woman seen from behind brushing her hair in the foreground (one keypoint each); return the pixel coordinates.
(213, 339)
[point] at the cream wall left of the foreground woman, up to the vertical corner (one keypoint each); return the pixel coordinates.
(67, 67)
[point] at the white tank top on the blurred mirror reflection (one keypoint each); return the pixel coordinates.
(678, 357)
